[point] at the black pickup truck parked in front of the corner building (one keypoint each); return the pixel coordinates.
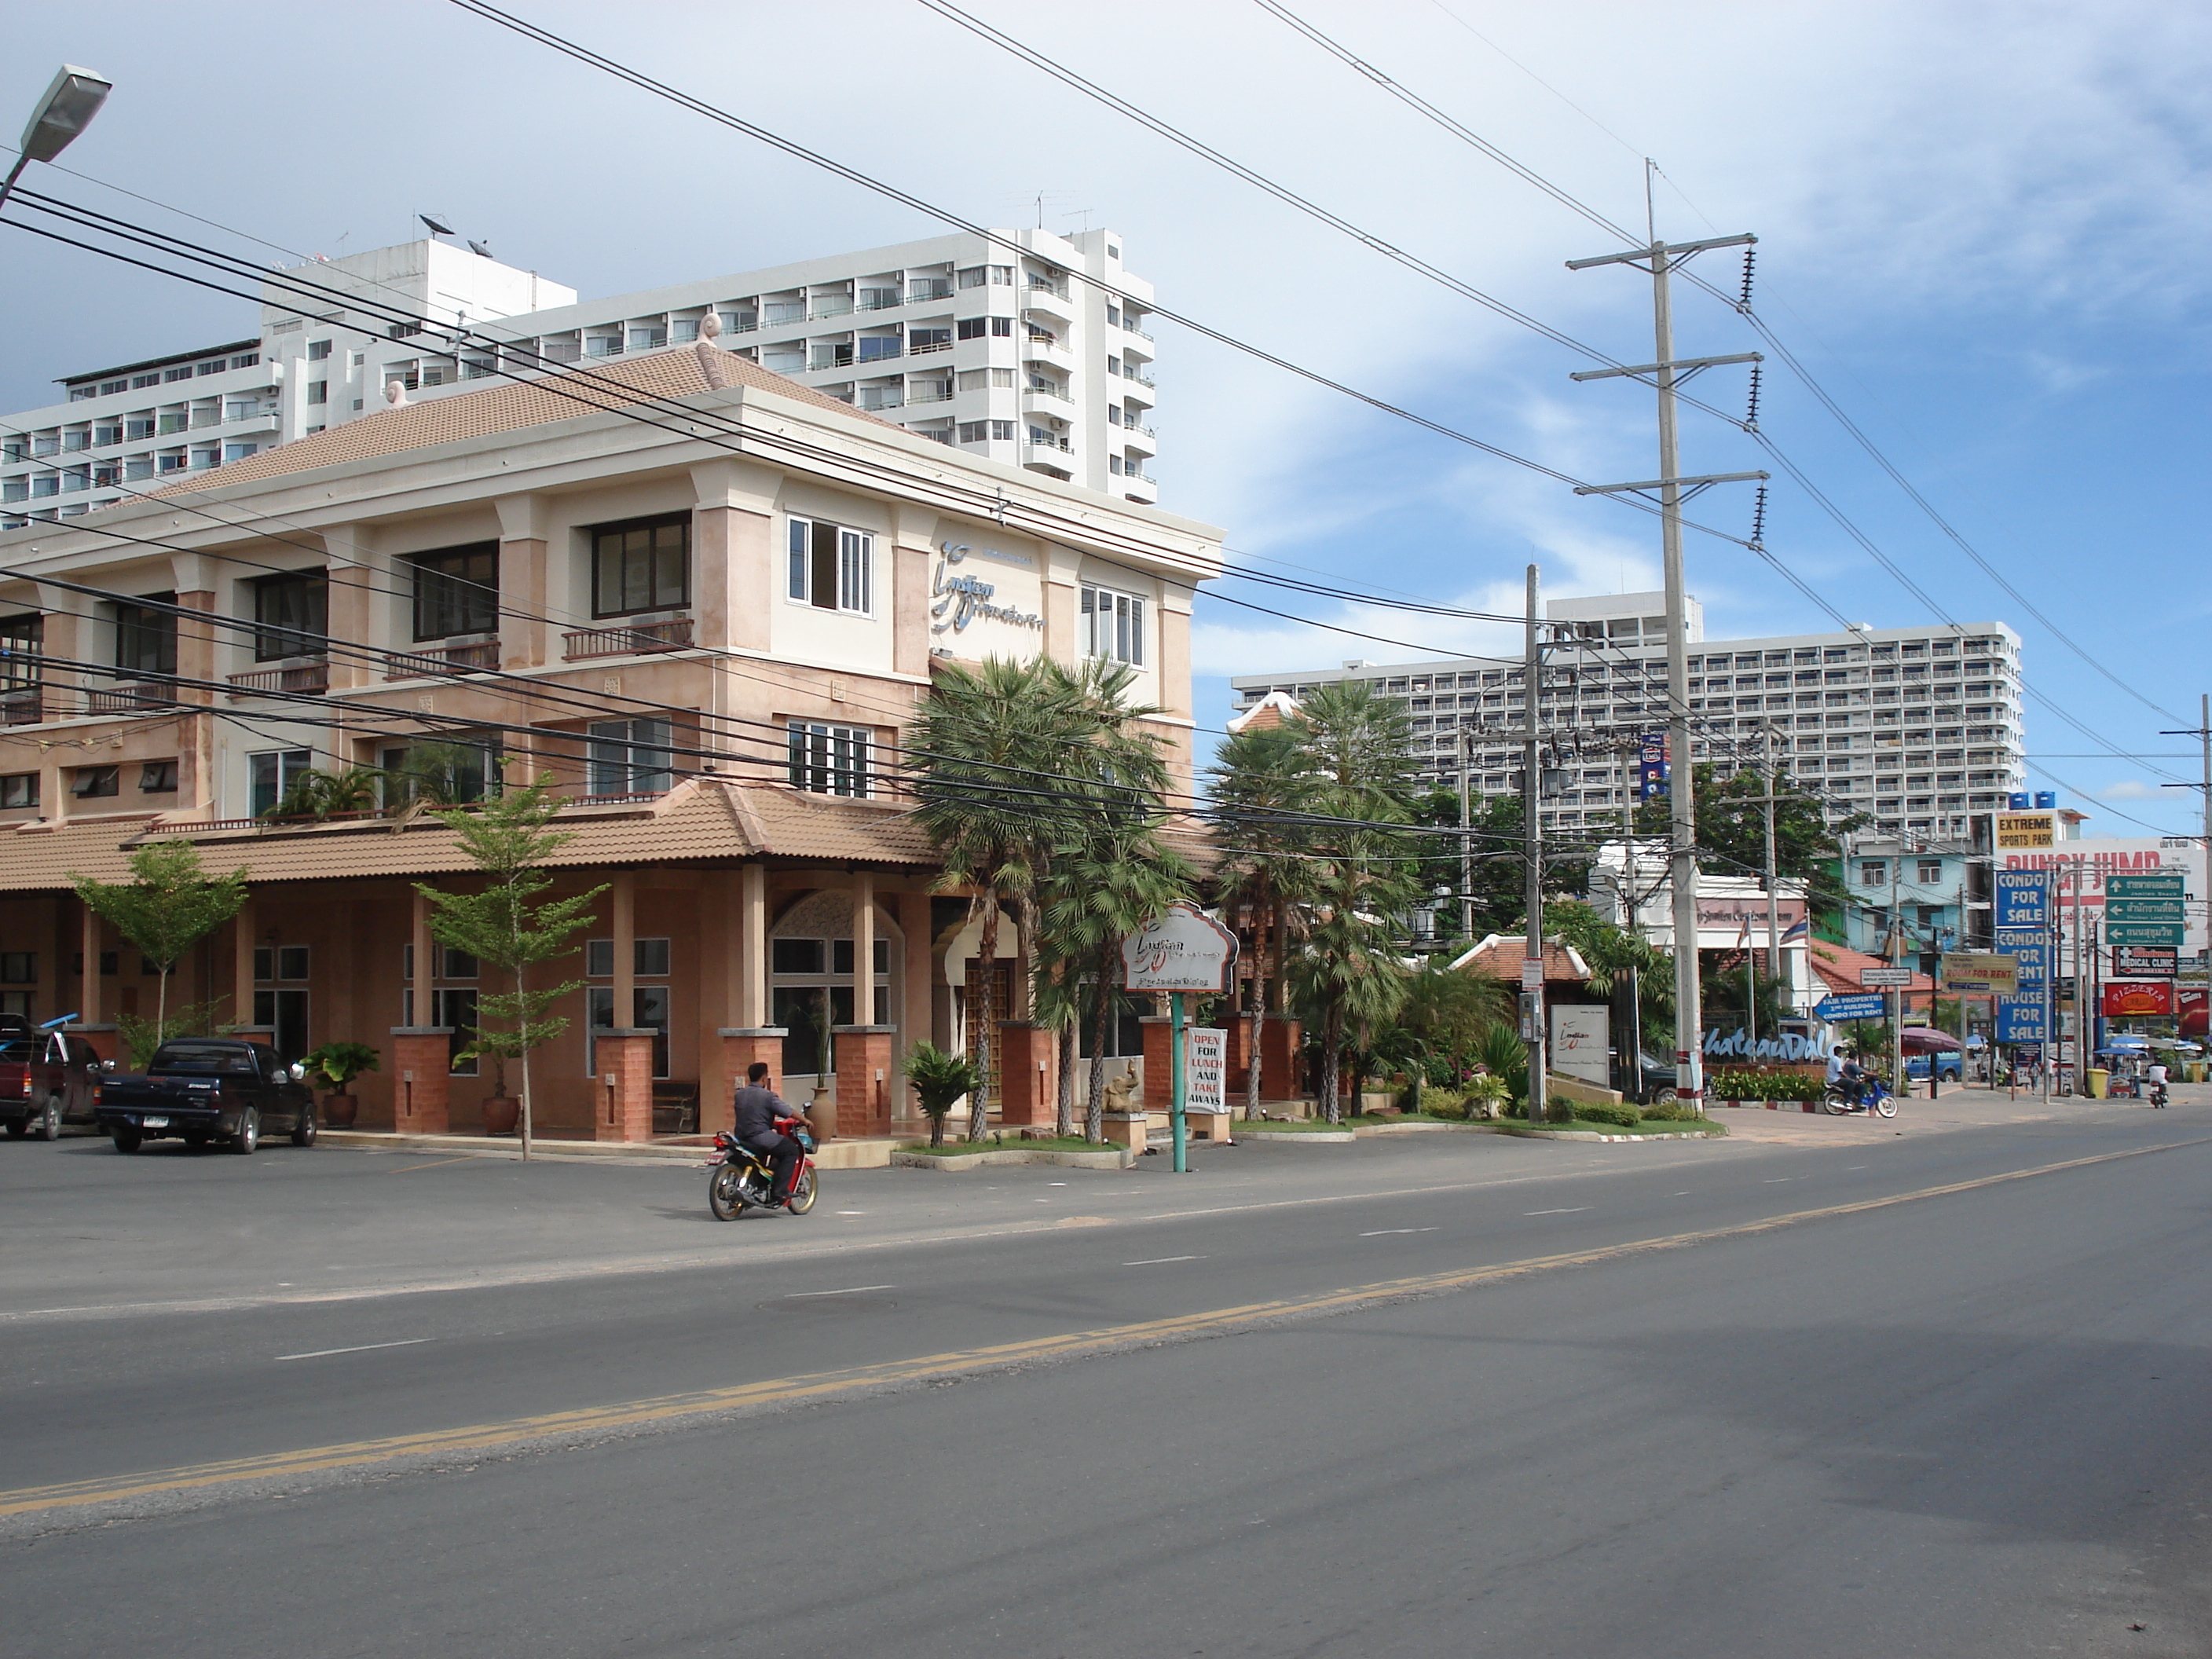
(205, 1089)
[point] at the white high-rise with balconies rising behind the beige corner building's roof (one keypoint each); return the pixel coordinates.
(1001, 351)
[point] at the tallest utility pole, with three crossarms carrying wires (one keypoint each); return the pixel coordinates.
(1673, 490)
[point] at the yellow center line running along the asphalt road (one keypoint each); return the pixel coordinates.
(932, 1368)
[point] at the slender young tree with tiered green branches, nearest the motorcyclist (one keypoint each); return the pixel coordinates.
(508, 926)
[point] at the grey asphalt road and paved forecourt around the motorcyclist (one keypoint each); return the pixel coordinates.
(1837, 1390)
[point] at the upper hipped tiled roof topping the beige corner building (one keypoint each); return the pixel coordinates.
(510, 406)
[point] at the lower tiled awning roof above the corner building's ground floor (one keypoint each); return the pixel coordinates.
(696, 822)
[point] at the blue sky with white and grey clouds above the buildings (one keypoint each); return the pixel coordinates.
(1983, 229)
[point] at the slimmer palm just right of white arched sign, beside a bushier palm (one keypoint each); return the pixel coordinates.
(1262, 784)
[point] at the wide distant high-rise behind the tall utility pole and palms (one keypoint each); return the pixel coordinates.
(1919, 729)
